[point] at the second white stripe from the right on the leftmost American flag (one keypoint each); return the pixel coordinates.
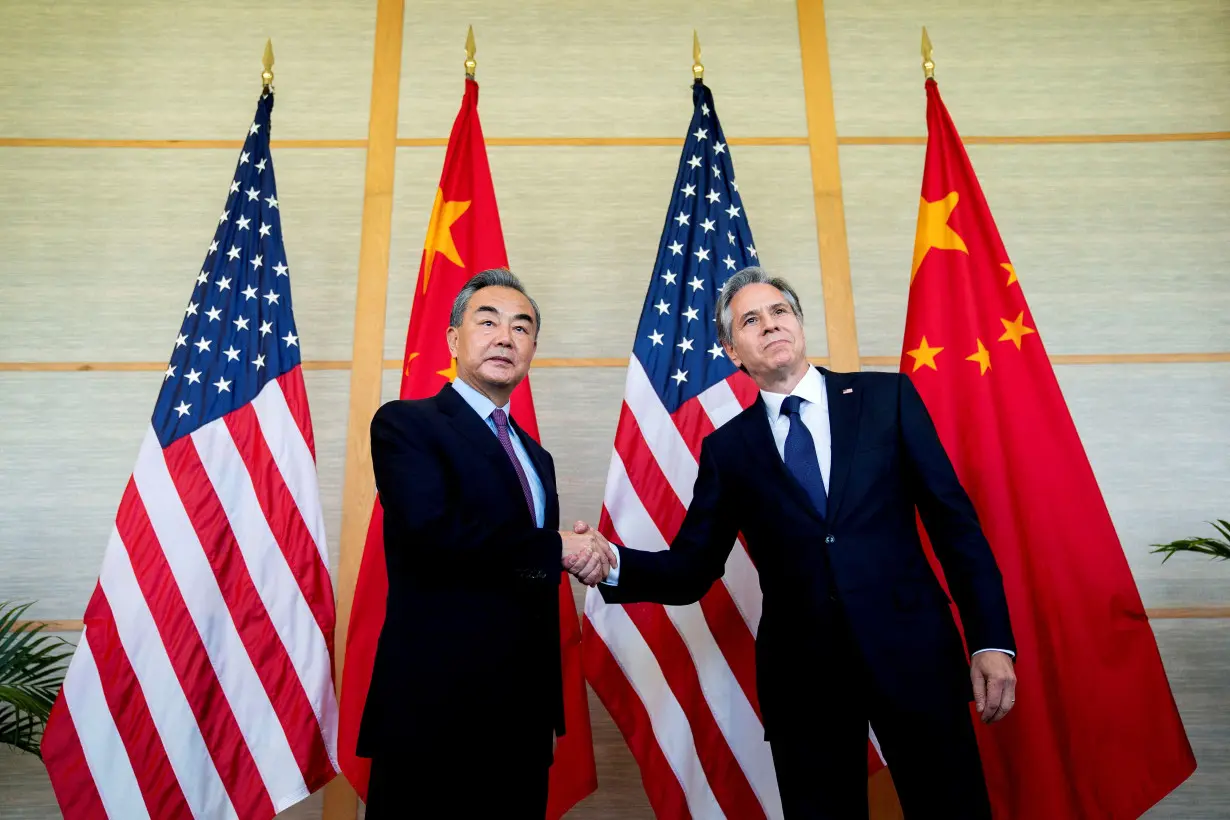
(271, 575)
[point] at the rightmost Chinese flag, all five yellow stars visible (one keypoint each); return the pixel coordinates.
(1095, 732)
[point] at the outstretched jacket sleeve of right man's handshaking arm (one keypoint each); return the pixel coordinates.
(697, 558)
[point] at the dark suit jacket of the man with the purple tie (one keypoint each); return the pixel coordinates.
(470, 645)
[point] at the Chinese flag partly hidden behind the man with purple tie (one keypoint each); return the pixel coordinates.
(463, 238)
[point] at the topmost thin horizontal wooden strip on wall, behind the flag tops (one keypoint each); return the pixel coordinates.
(614, 142)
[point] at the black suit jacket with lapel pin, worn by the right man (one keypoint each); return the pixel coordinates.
(867, 554)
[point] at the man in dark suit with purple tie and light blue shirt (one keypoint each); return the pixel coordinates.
(467, 695)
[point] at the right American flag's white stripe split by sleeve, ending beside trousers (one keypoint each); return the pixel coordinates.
(724, 695)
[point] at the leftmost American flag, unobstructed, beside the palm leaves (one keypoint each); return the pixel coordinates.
(202, 685)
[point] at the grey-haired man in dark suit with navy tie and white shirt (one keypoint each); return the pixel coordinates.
(822, 475)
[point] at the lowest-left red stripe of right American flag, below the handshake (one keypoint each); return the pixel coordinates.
(661, 785)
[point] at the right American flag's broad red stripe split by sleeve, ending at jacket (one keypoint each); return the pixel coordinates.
(724, 618)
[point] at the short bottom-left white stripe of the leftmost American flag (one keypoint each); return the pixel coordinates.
(100, 739)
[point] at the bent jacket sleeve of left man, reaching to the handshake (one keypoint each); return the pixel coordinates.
(413, 486)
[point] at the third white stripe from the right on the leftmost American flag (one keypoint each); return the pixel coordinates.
(258, 721)
